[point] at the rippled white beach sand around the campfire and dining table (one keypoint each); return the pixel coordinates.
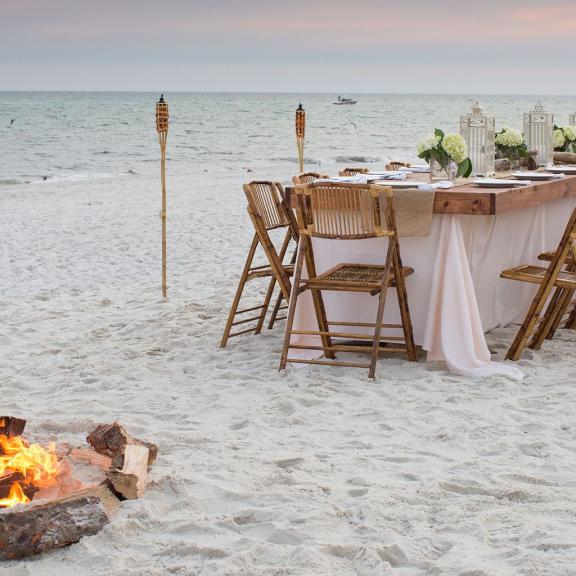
(310, 472)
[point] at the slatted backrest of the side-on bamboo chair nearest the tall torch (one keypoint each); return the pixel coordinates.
(266, 202)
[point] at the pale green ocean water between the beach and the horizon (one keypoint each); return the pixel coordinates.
(84, 136)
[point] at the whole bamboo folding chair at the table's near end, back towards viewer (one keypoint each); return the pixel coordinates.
(341, 211)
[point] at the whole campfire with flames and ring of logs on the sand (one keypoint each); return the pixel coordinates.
(51, 496)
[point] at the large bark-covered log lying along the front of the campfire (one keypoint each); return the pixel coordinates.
(35, 528)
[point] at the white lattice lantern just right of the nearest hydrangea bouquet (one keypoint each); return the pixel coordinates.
(479, 131)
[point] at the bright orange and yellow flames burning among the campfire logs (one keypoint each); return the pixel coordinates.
(36, 465)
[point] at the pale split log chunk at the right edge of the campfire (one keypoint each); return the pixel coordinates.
(129, 474)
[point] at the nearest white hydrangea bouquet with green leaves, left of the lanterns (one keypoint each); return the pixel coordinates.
(446, 151)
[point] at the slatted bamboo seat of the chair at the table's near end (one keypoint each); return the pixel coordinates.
(355, 277)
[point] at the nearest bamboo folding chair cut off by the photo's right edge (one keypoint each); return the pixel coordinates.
(558, 276)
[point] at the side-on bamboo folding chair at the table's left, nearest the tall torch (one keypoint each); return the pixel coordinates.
(268, 211)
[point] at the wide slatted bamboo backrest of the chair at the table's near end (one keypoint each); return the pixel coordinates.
(342, 211)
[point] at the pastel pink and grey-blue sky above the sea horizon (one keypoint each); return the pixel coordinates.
(455, 46)
